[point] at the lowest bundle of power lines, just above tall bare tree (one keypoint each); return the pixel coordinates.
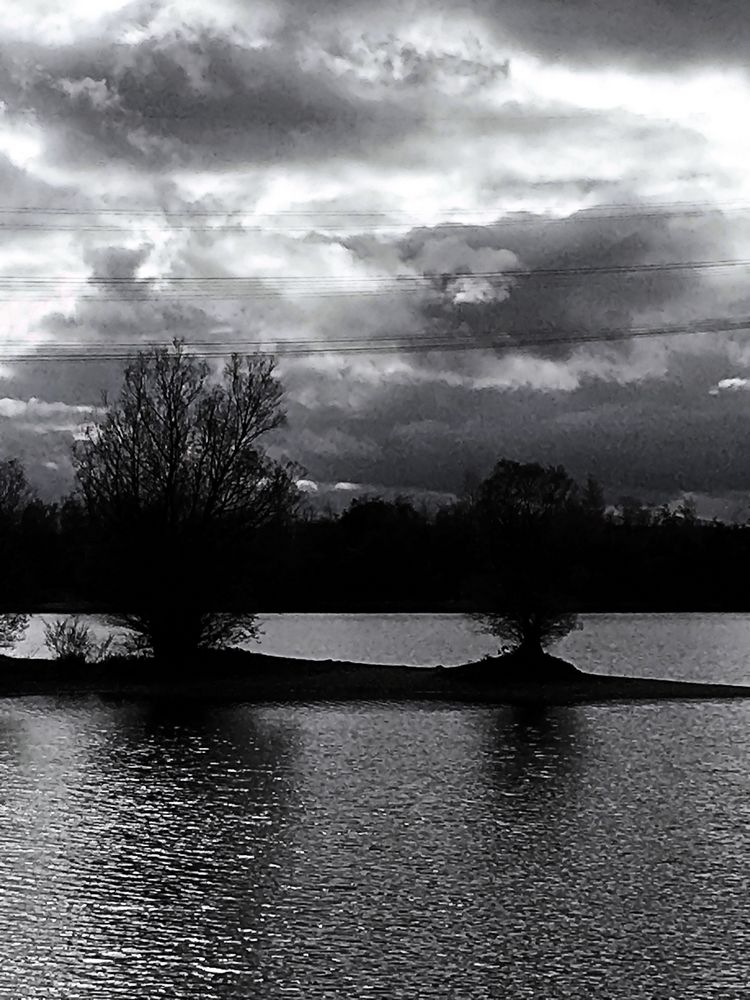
(101, 352)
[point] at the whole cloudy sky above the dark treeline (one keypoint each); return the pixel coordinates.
(475, 190)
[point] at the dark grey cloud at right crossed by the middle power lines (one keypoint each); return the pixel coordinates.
(520, 309)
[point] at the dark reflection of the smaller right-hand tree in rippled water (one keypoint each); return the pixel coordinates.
(534, 772)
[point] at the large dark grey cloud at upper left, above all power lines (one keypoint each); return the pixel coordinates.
(196, 98)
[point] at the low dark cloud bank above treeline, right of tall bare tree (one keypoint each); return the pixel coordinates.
(658, 435)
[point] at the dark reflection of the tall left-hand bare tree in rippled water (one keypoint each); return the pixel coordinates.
(185, 876)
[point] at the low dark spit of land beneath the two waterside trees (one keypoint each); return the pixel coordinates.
(240, 676)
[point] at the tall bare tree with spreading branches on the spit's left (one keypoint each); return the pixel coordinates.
(177, 484)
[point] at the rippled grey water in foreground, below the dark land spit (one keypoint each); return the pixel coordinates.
(389, 851)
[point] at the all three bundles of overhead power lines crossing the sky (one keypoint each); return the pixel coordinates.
(155, 290)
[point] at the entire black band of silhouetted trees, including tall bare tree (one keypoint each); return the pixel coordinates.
(182, 528)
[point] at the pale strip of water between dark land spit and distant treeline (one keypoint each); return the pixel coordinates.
(682, 646)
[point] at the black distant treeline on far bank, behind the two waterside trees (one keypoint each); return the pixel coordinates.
(390, 555)
